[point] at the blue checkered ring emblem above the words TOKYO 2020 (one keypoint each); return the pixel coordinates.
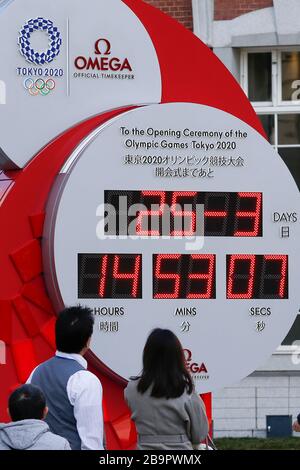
(55, 41)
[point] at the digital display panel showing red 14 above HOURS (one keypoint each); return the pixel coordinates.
(109, 276)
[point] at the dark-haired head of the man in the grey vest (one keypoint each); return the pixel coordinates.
(74, 327)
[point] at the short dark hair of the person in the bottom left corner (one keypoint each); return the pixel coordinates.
(26, 402)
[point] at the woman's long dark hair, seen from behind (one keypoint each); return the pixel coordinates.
(164, 366)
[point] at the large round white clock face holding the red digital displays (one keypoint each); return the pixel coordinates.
(177, 216)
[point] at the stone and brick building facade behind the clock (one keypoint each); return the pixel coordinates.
(259, 42)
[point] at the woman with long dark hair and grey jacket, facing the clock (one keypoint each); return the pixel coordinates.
(168, 414)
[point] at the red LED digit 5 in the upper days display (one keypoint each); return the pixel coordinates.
(183, 214)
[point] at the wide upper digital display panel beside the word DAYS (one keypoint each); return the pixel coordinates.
(174, 213)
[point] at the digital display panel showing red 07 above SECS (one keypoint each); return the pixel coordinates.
(257, 276)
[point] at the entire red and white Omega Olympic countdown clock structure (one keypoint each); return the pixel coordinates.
(225, 283)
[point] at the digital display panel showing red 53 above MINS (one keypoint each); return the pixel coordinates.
(178, 276)
